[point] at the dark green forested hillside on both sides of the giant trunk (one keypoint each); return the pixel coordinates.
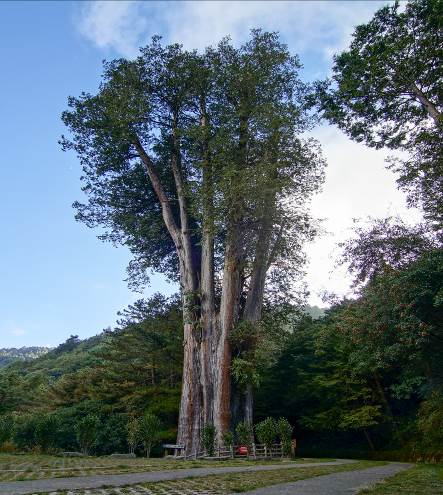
(363, 380)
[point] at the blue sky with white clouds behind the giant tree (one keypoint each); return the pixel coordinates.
(56, 277)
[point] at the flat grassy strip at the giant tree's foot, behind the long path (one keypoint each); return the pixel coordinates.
(33, 466)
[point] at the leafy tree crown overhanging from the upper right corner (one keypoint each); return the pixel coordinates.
(387, 91)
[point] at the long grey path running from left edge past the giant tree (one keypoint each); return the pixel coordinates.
(97, 481)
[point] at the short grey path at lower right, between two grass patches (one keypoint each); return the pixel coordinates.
(345, 483)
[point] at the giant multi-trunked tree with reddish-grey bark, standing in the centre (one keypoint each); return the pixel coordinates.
(195, 162)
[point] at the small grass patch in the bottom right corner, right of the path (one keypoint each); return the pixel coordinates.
(423, 479)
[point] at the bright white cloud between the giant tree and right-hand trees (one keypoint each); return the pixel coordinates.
(357, 185)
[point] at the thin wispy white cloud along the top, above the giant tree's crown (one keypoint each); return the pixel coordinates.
(124, 26)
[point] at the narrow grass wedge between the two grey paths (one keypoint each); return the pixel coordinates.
(223, 484)
